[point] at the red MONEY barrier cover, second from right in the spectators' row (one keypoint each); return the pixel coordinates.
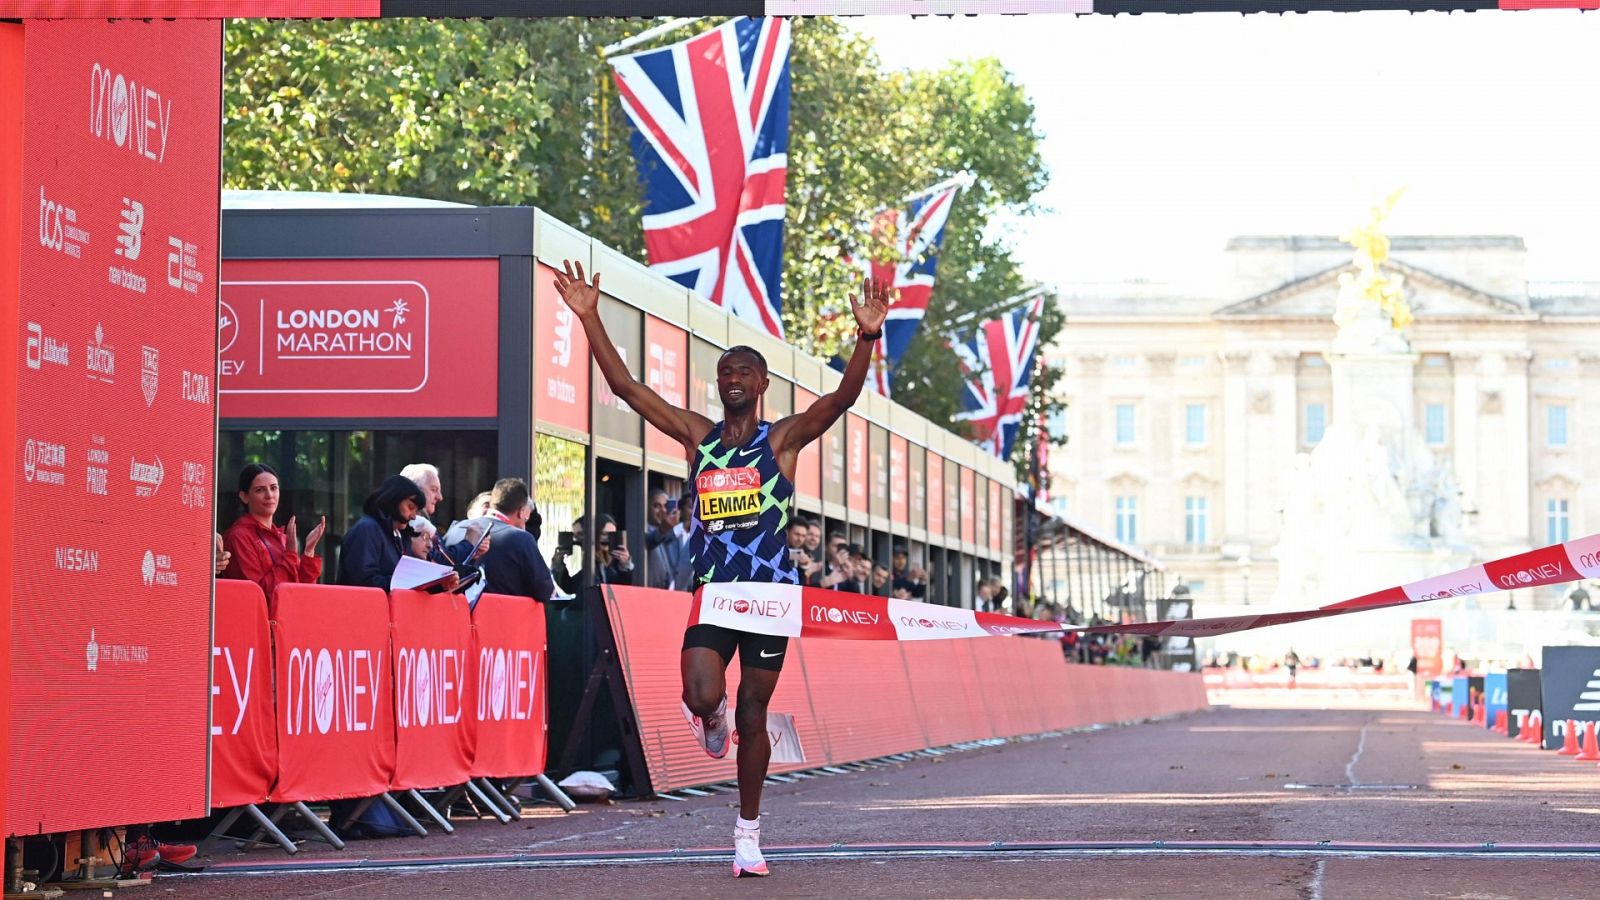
(433, 646)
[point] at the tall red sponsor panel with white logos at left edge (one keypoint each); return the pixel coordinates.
(114, 422)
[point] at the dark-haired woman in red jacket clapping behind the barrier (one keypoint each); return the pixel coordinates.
(262, 552)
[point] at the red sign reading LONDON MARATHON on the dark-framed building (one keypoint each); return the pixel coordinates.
(359, 339)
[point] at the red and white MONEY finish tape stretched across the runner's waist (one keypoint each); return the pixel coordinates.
(814, 613)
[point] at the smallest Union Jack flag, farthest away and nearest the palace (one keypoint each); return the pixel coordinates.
(999, 364)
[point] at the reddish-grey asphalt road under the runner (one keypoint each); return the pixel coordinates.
(1402, 781)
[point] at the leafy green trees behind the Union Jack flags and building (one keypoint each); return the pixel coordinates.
(524, 113)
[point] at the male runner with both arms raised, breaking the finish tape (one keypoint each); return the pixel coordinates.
(743, 481)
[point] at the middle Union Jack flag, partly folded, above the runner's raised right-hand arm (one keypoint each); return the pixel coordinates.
(916, 233)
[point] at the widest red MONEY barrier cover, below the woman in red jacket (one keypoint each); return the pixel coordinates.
(337, 715)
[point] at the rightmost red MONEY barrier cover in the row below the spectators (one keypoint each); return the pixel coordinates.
(508, 721)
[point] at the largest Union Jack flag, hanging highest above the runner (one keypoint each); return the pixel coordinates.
(711, 139)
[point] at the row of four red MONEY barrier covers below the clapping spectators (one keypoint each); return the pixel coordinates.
(372, 693)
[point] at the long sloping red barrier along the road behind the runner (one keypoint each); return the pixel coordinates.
(863, 699)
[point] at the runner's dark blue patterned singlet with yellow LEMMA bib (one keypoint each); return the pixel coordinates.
(742, 510)
